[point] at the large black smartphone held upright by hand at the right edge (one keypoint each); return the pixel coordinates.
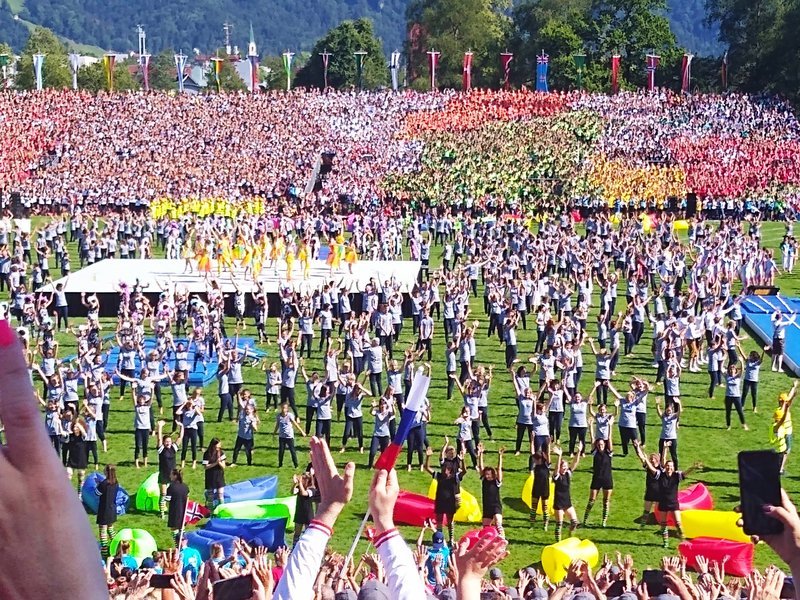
(759, 484)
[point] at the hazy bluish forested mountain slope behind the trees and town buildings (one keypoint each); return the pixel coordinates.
(278, 24)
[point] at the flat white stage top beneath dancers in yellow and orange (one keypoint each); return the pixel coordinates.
(104, 277)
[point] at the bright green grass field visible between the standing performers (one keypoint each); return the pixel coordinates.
(702, 438)
